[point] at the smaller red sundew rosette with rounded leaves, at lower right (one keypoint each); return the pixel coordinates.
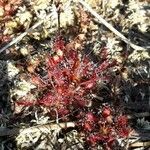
(104, 128)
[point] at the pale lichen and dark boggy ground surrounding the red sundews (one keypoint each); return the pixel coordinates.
(128, 88)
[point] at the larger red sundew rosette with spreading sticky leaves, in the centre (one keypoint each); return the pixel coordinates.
(71, 76)
